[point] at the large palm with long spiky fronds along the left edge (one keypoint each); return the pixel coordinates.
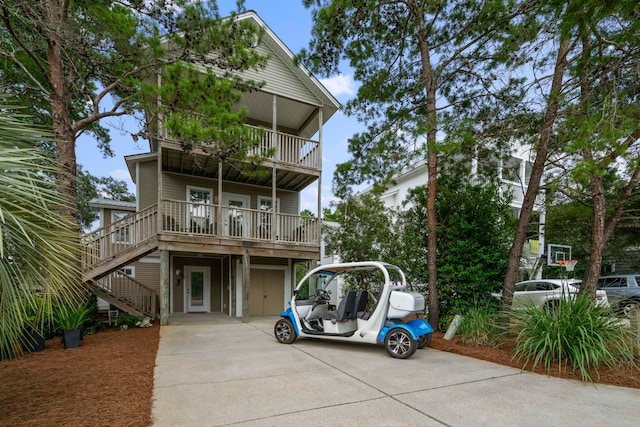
(38, 255)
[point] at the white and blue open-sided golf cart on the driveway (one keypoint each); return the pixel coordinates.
(374, 301)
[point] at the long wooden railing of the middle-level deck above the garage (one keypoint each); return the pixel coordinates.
(238, 223)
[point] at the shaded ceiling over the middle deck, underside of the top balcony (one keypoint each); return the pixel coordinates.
(287, 178)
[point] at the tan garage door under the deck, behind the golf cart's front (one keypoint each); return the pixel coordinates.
(267, 292)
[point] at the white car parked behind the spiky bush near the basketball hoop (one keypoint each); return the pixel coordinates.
(546, 292)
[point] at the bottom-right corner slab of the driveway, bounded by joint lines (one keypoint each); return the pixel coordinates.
(529, 400)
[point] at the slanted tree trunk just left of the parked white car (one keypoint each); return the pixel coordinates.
(542, 152)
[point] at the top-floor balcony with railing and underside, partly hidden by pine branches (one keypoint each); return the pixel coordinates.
(296, 161)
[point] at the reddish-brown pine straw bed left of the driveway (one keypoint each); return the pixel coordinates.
(107, 381)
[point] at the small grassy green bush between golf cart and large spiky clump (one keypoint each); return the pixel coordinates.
(479, 326)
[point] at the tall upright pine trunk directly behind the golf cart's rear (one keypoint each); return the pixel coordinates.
(432, 167)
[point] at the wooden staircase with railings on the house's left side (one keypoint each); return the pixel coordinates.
(107, 250)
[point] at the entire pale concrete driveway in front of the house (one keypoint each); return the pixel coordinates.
(224, 372)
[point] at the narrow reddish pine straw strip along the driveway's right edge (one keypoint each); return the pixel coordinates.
(503, 355)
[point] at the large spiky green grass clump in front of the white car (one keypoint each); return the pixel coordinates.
(576, 334)
